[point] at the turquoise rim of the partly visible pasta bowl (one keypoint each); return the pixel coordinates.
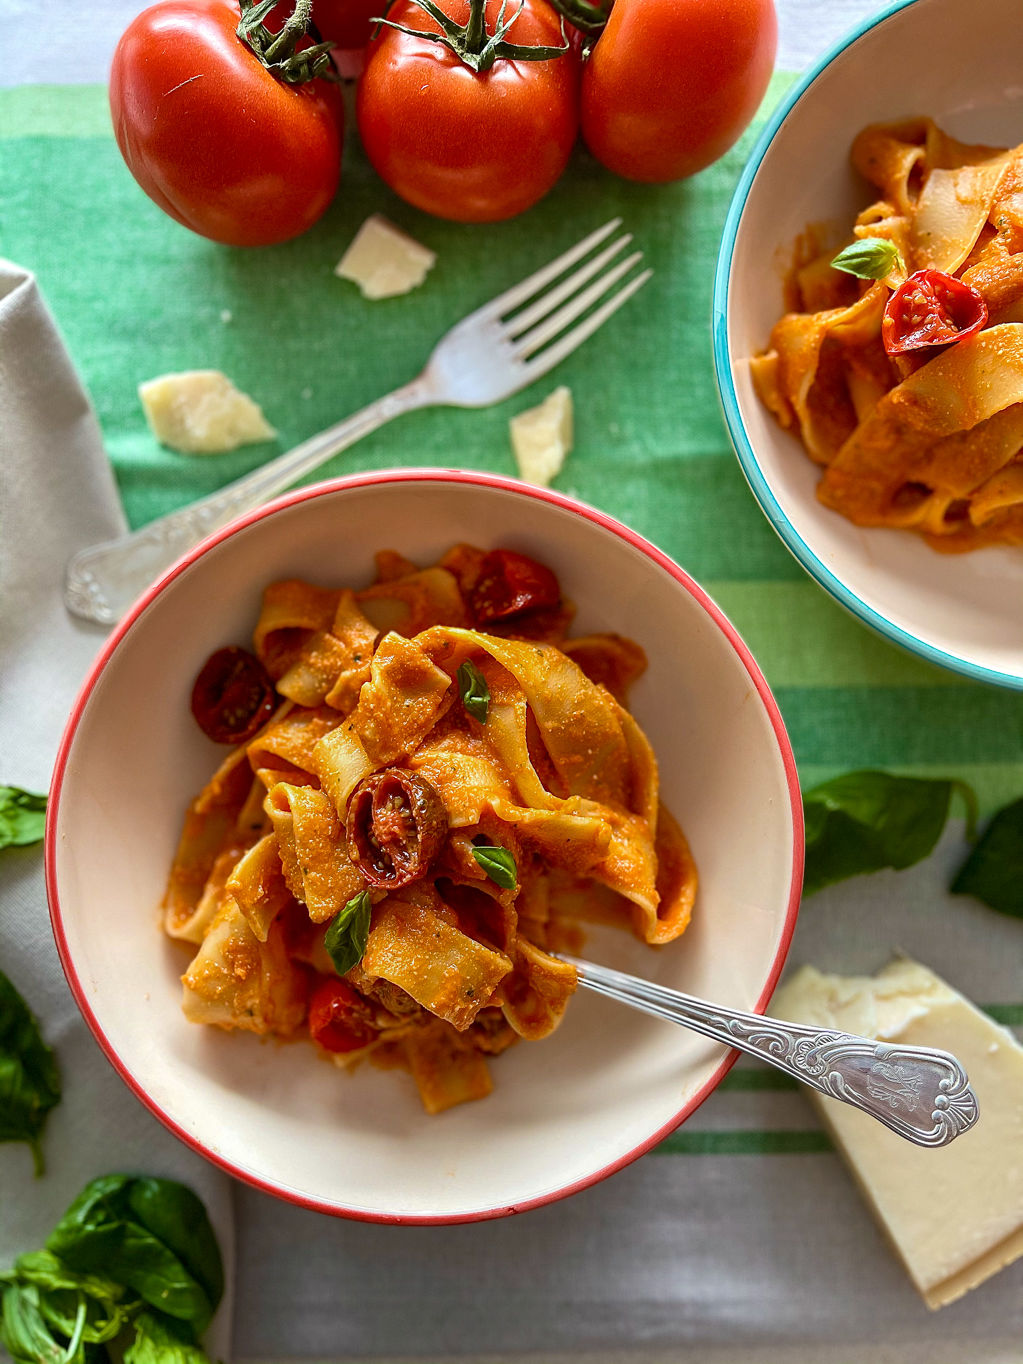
(760, 488)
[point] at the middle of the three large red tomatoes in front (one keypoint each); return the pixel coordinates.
(474, 148)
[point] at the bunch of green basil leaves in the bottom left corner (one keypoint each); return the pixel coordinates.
(129, 1253)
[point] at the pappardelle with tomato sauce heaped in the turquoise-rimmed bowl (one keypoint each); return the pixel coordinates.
(902, 370)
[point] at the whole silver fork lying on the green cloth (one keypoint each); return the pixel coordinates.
(485, 358)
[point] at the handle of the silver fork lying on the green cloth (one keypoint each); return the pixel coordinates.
(103, 580)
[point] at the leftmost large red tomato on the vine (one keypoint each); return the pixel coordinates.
(212, 137)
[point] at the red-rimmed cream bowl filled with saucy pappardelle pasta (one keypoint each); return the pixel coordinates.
(486, 762)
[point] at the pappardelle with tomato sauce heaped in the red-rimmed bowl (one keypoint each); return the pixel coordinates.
(430, 789)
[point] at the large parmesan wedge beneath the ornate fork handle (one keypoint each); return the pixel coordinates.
(955, 1213)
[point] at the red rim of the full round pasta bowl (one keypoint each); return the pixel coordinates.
(329, 488)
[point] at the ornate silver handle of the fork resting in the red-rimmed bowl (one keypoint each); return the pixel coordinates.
(917, 1092)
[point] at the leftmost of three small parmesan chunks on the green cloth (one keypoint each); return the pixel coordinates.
(203, 413)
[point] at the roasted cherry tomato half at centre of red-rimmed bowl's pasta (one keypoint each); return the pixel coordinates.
(396, 827)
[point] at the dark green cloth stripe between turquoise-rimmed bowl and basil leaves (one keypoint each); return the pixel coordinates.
(859, 728)
